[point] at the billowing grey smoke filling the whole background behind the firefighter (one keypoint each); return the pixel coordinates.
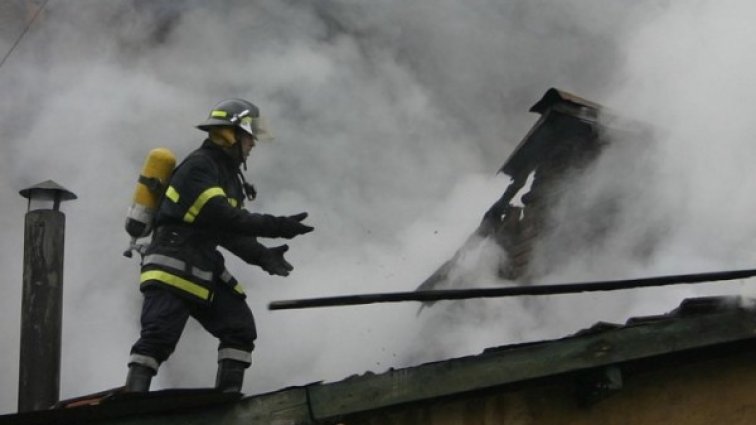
(391, 119)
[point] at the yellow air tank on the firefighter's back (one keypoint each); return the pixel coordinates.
(153, 179)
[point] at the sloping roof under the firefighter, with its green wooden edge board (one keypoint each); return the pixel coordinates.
(696, 324)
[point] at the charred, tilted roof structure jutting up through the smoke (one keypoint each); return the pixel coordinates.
(568, 137)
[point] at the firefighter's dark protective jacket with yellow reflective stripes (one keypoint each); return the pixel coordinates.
(202, 208)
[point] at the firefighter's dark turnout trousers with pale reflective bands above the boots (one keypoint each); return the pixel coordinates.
(164, 315)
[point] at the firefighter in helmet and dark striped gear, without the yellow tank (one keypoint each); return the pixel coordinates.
(183, 273)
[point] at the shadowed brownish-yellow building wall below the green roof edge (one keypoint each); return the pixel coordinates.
(717, 390)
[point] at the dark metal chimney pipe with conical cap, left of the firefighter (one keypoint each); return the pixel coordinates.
(41, 307)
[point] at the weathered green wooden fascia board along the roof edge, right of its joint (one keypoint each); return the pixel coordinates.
(529, 361)
